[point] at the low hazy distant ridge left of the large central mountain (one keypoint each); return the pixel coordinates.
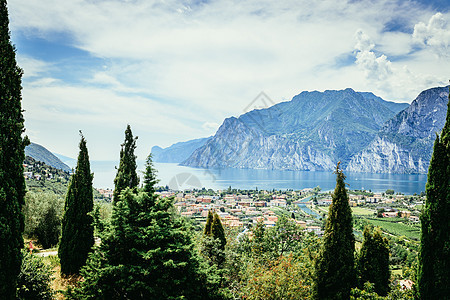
(177, 152)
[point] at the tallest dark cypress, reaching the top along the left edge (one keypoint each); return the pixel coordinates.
(12, 183)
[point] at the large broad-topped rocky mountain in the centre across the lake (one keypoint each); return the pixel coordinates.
(313, 131)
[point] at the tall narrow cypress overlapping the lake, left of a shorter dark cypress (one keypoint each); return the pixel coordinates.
(335, 266)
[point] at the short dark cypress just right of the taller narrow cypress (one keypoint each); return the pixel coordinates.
(373, 262)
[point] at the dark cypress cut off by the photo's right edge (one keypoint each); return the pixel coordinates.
(434, 262)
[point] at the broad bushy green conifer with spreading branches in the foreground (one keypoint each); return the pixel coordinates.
(148, 254)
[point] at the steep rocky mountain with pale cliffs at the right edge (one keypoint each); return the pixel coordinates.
(404, 144)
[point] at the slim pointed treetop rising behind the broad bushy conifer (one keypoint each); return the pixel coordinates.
(126, 173)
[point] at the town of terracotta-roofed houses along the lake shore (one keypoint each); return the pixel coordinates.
(308, 207)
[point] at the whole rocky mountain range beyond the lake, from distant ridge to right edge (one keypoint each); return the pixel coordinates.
(316, 129)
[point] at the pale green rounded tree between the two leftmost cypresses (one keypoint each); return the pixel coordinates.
(43, 214)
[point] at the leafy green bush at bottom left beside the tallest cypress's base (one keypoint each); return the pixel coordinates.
(35, 278)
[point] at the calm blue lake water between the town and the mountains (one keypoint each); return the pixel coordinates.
(180, 177)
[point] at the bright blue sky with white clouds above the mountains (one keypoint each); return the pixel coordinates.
(174, 70)
